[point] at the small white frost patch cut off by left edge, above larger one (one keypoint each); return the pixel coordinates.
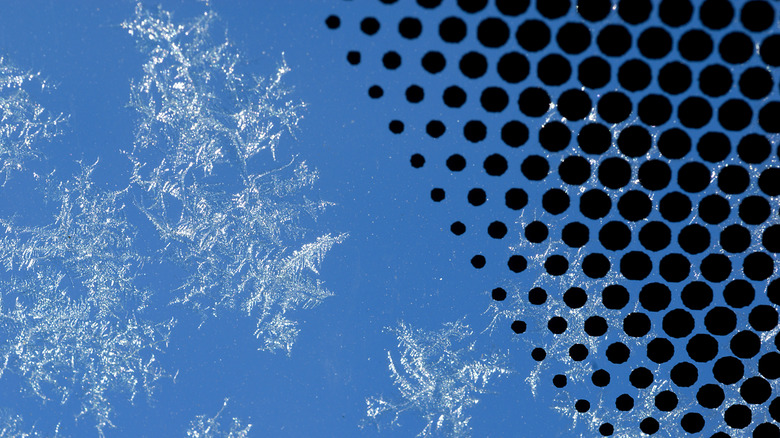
(24, 124)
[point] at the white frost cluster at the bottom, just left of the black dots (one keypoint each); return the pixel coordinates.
(437, 378)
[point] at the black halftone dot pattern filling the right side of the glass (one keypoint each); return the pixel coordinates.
(640, 137)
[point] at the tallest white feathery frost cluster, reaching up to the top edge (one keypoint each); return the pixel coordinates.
(200, 119)
